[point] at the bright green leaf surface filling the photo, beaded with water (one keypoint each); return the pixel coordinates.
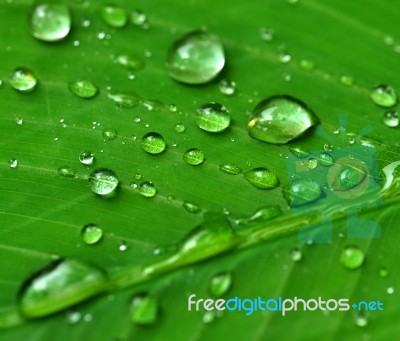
(328, 55)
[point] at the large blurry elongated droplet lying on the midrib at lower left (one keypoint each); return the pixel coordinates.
(60, 286)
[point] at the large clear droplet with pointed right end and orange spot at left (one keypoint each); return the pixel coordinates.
(280, 119)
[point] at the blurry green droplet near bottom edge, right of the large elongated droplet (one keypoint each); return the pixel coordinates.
(144, 309)
